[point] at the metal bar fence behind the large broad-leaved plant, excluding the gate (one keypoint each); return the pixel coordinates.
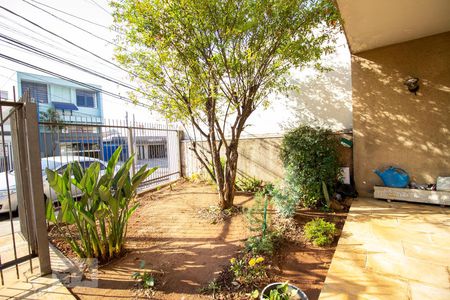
(86, 139)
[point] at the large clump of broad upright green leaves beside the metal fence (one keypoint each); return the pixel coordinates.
(101, 215)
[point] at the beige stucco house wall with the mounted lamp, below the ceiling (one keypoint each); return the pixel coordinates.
(393, 126)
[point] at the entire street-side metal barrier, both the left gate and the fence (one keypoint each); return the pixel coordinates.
(29, 144)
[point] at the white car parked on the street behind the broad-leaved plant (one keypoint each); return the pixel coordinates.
(57, 163)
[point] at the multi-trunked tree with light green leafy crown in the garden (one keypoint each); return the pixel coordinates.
(210, 63)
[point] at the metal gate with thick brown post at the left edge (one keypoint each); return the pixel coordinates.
(23, 234)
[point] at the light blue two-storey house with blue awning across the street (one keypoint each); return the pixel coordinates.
(75, 104)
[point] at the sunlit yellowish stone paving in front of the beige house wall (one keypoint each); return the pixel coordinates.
(391, 250)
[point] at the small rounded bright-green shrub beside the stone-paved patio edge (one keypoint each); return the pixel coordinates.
(320, 232)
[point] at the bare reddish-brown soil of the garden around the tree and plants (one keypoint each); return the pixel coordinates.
(185, 252)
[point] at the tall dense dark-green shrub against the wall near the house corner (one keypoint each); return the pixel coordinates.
(310, 157)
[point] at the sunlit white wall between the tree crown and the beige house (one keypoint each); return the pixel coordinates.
(323, 99)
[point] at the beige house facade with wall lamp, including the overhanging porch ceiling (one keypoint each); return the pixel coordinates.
(393, 125)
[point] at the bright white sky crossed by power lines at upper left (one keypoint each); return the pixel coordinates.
(96, 11)
